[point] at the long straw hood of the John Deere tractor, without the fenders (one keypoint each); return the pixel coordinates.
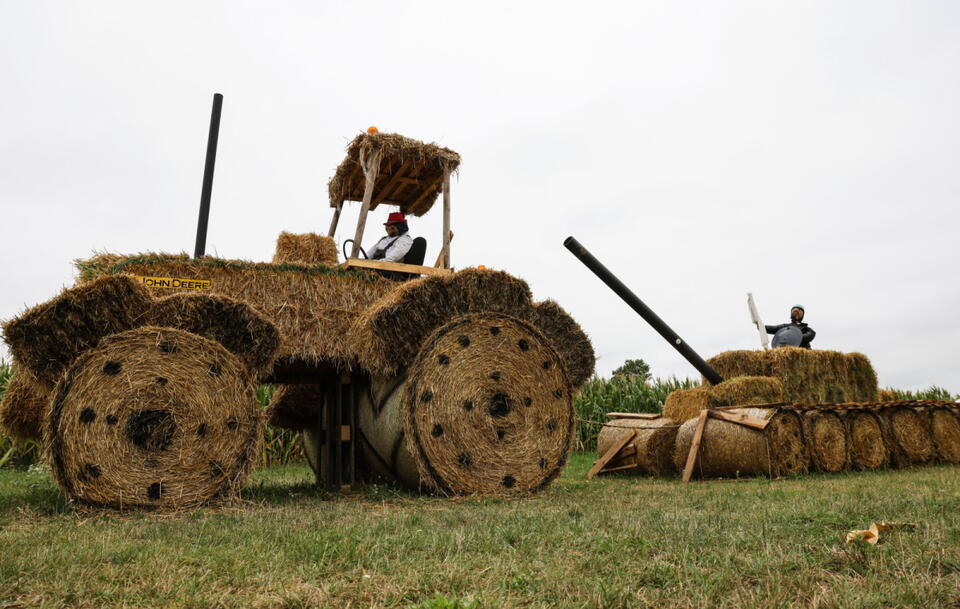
(312, 306)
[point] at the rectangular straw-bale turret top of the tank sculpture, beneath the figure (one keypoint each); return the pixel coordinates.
(808, 376)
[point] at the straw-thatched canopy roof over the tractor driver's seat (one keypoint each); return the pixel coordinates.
(410, 172)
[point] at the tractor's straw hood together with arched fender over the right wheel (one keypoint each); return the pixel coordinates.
(354, 319)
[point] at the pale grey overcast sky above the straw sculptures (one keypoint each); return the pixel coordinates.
(804, 151)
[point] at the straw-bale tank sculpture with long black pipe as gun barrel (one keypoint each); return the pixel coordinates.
(772, 413)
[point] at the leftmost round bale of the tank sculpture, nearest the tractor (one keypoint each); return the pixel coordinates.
(651, 449)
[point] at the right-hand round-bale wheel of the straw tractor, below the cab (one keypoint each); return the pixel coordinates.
(485, 408)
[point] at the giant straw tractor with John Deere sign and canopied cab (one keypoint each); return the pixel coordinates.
(141, 379)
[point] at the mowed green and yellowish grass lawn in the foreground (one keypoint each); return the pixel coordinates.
(613, 542)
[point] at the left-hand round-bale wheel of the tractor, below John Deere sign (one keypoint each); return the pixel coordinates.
(153, 418)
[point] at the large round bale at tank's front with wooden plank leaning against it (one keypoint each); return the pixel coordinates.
(730, 450)
